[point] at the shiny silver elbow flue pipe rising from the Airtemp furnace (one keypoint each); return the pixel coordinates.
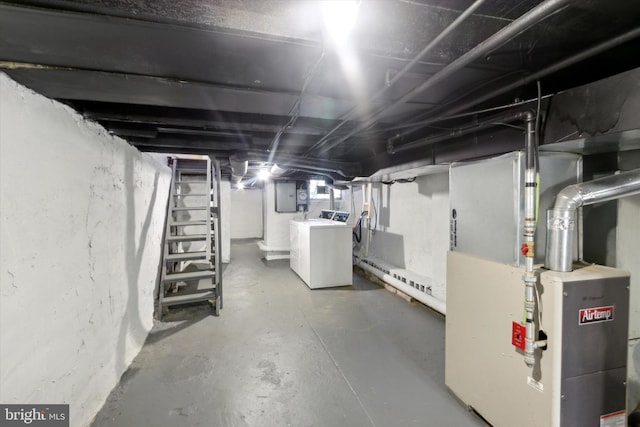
(561, 219)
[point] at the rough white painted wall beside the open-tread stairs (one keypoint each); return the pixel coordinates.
(82, 215)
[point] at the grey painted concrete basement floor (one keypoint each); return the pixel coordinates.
(283, 355)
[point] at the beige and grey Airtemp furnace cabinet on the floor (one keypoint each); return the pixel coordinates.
(579, 380)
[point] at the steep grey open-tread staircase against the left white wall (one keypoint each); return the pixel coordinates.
(191, 265)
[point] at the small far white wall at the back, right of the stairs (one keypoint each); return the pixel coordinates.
(246, 213)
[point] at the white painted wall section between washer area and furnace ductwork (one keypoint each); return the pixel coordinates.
(412, 227)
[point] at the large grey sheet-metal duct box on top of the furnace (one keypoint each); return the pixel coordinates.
(487, 203)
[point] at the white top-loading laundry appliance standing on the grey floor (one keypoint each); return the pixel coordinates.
(320, 252)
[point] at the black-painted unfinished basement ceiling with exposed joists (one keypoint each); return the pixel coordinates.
(262, 81)
